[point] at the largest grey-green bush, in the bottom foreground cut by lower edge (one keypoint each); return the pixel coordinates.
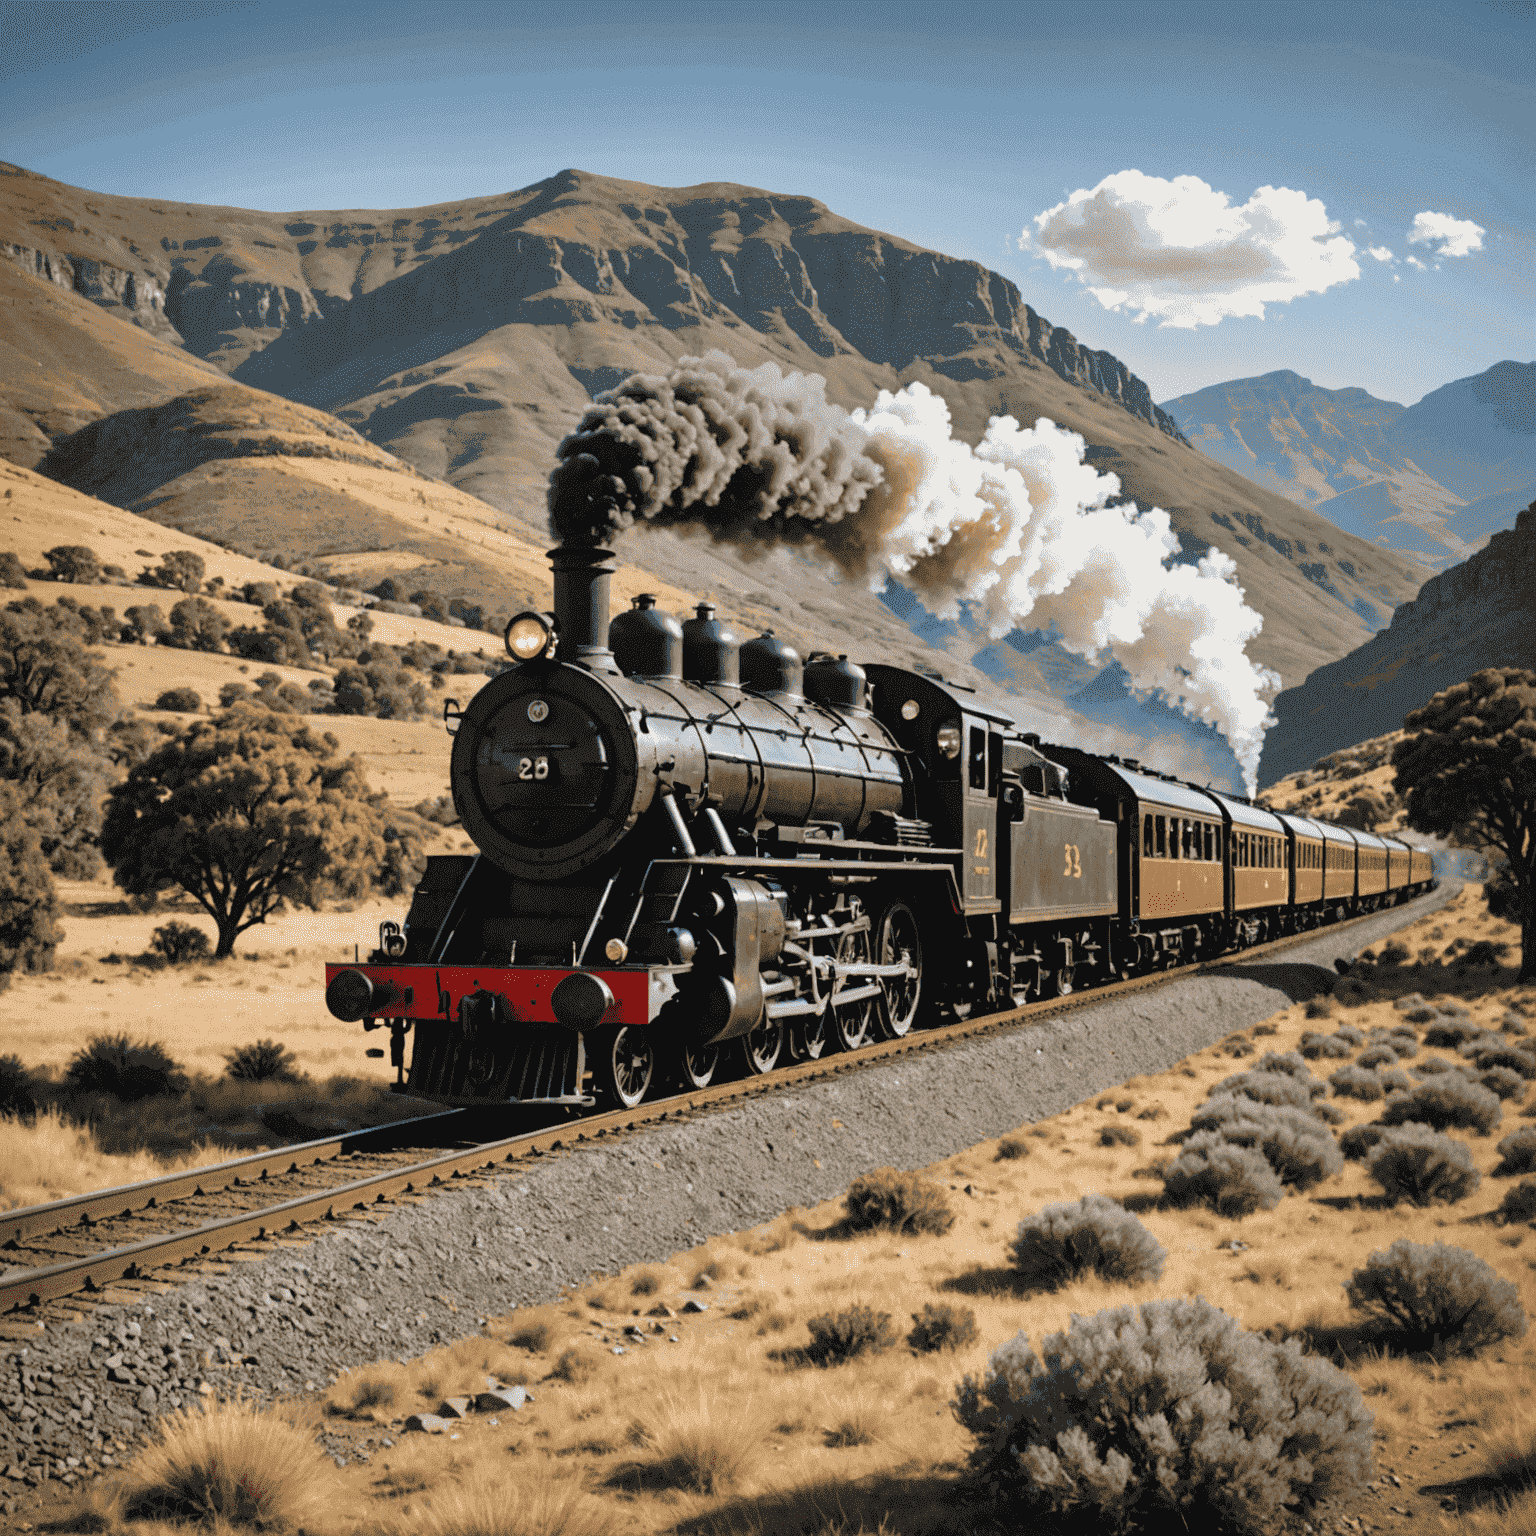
(1164, 1417)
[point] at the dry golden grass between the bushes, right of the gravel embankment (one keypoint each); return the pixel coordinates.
(727, 1431)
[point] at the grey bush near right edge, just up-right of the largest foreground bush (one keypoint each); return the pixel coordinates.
(1438, 1297)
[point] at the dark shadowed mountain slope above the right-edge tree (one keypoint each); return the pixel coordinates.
(1480, 614)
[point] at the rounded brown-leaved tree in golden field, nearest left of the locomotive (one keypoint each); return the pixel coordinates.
(243, 813)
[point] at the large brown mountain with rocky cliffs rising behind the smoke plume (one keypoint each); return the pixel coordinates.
(469, 337)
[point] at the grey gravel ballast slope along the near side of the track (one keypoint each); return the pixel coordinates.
(431, 1273)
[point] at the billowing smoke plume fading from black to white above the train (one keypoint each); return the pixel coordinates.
(1019, 528)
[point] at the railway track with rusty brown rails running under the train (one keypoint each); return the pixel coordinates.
(94, 1242)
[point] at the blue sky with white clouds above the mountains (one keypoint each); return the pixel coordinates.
(955, 127)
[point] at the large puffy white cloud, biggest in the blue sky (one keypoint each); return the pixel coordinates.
(1182, 253)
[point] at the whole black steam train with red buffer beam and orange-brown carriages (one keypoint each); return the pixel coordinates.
(701, 856)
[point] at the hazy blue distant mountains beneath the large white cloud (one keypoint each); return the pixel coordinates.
(1432, 480)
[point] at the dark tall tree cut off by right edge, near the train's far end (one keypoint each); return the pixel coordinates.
(1468, 770)
